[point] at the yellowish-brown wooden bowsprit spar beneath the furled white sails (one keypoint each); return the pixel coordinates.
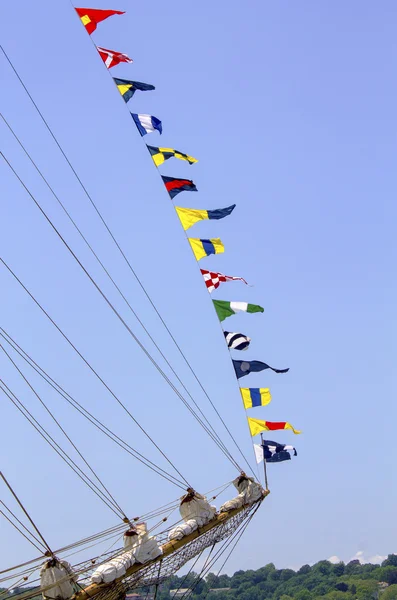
(168, 548)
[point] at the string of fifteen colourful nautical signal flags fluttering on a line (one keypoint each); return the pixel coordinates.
(267, 450)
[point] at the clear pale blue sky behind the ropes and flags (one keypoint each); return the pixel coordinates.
(290, 108)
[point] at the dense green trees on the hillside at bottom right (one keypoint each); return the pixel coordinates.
(322, 581)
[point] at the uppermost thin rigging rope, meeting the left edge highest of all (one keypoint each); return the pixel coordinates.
(126, 259)
